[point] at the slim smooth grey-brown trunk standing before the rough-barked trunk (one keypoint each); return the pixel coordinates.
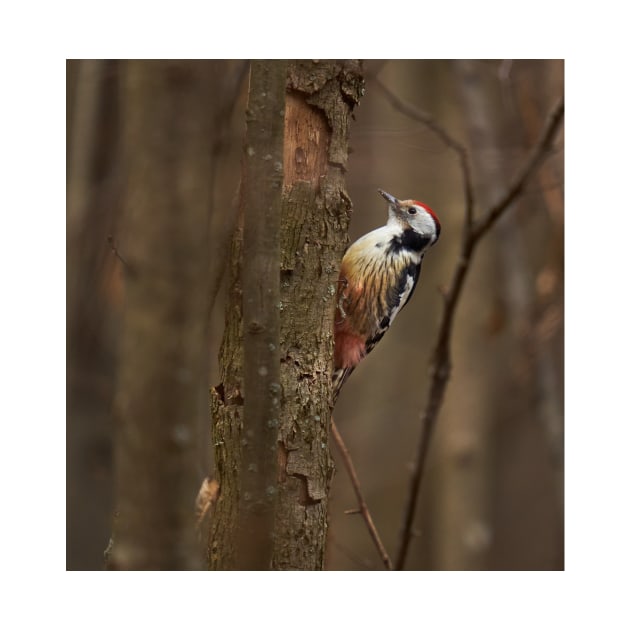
(262, 198)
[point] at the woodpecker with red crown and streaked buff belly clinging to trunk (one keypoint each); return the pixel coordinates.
(378, 275)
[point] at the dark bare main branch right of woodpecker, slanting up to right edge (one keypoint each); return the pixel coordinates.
(441, 361)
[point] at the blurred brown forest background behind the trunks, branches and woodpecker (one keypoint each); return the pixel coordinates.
(492, 498)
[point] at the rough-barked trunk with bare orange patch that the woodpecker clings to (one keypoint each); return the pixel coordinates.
(315, 216)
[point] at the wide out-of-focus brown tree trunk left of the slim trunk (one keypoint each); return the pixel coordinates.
(162, 356)
